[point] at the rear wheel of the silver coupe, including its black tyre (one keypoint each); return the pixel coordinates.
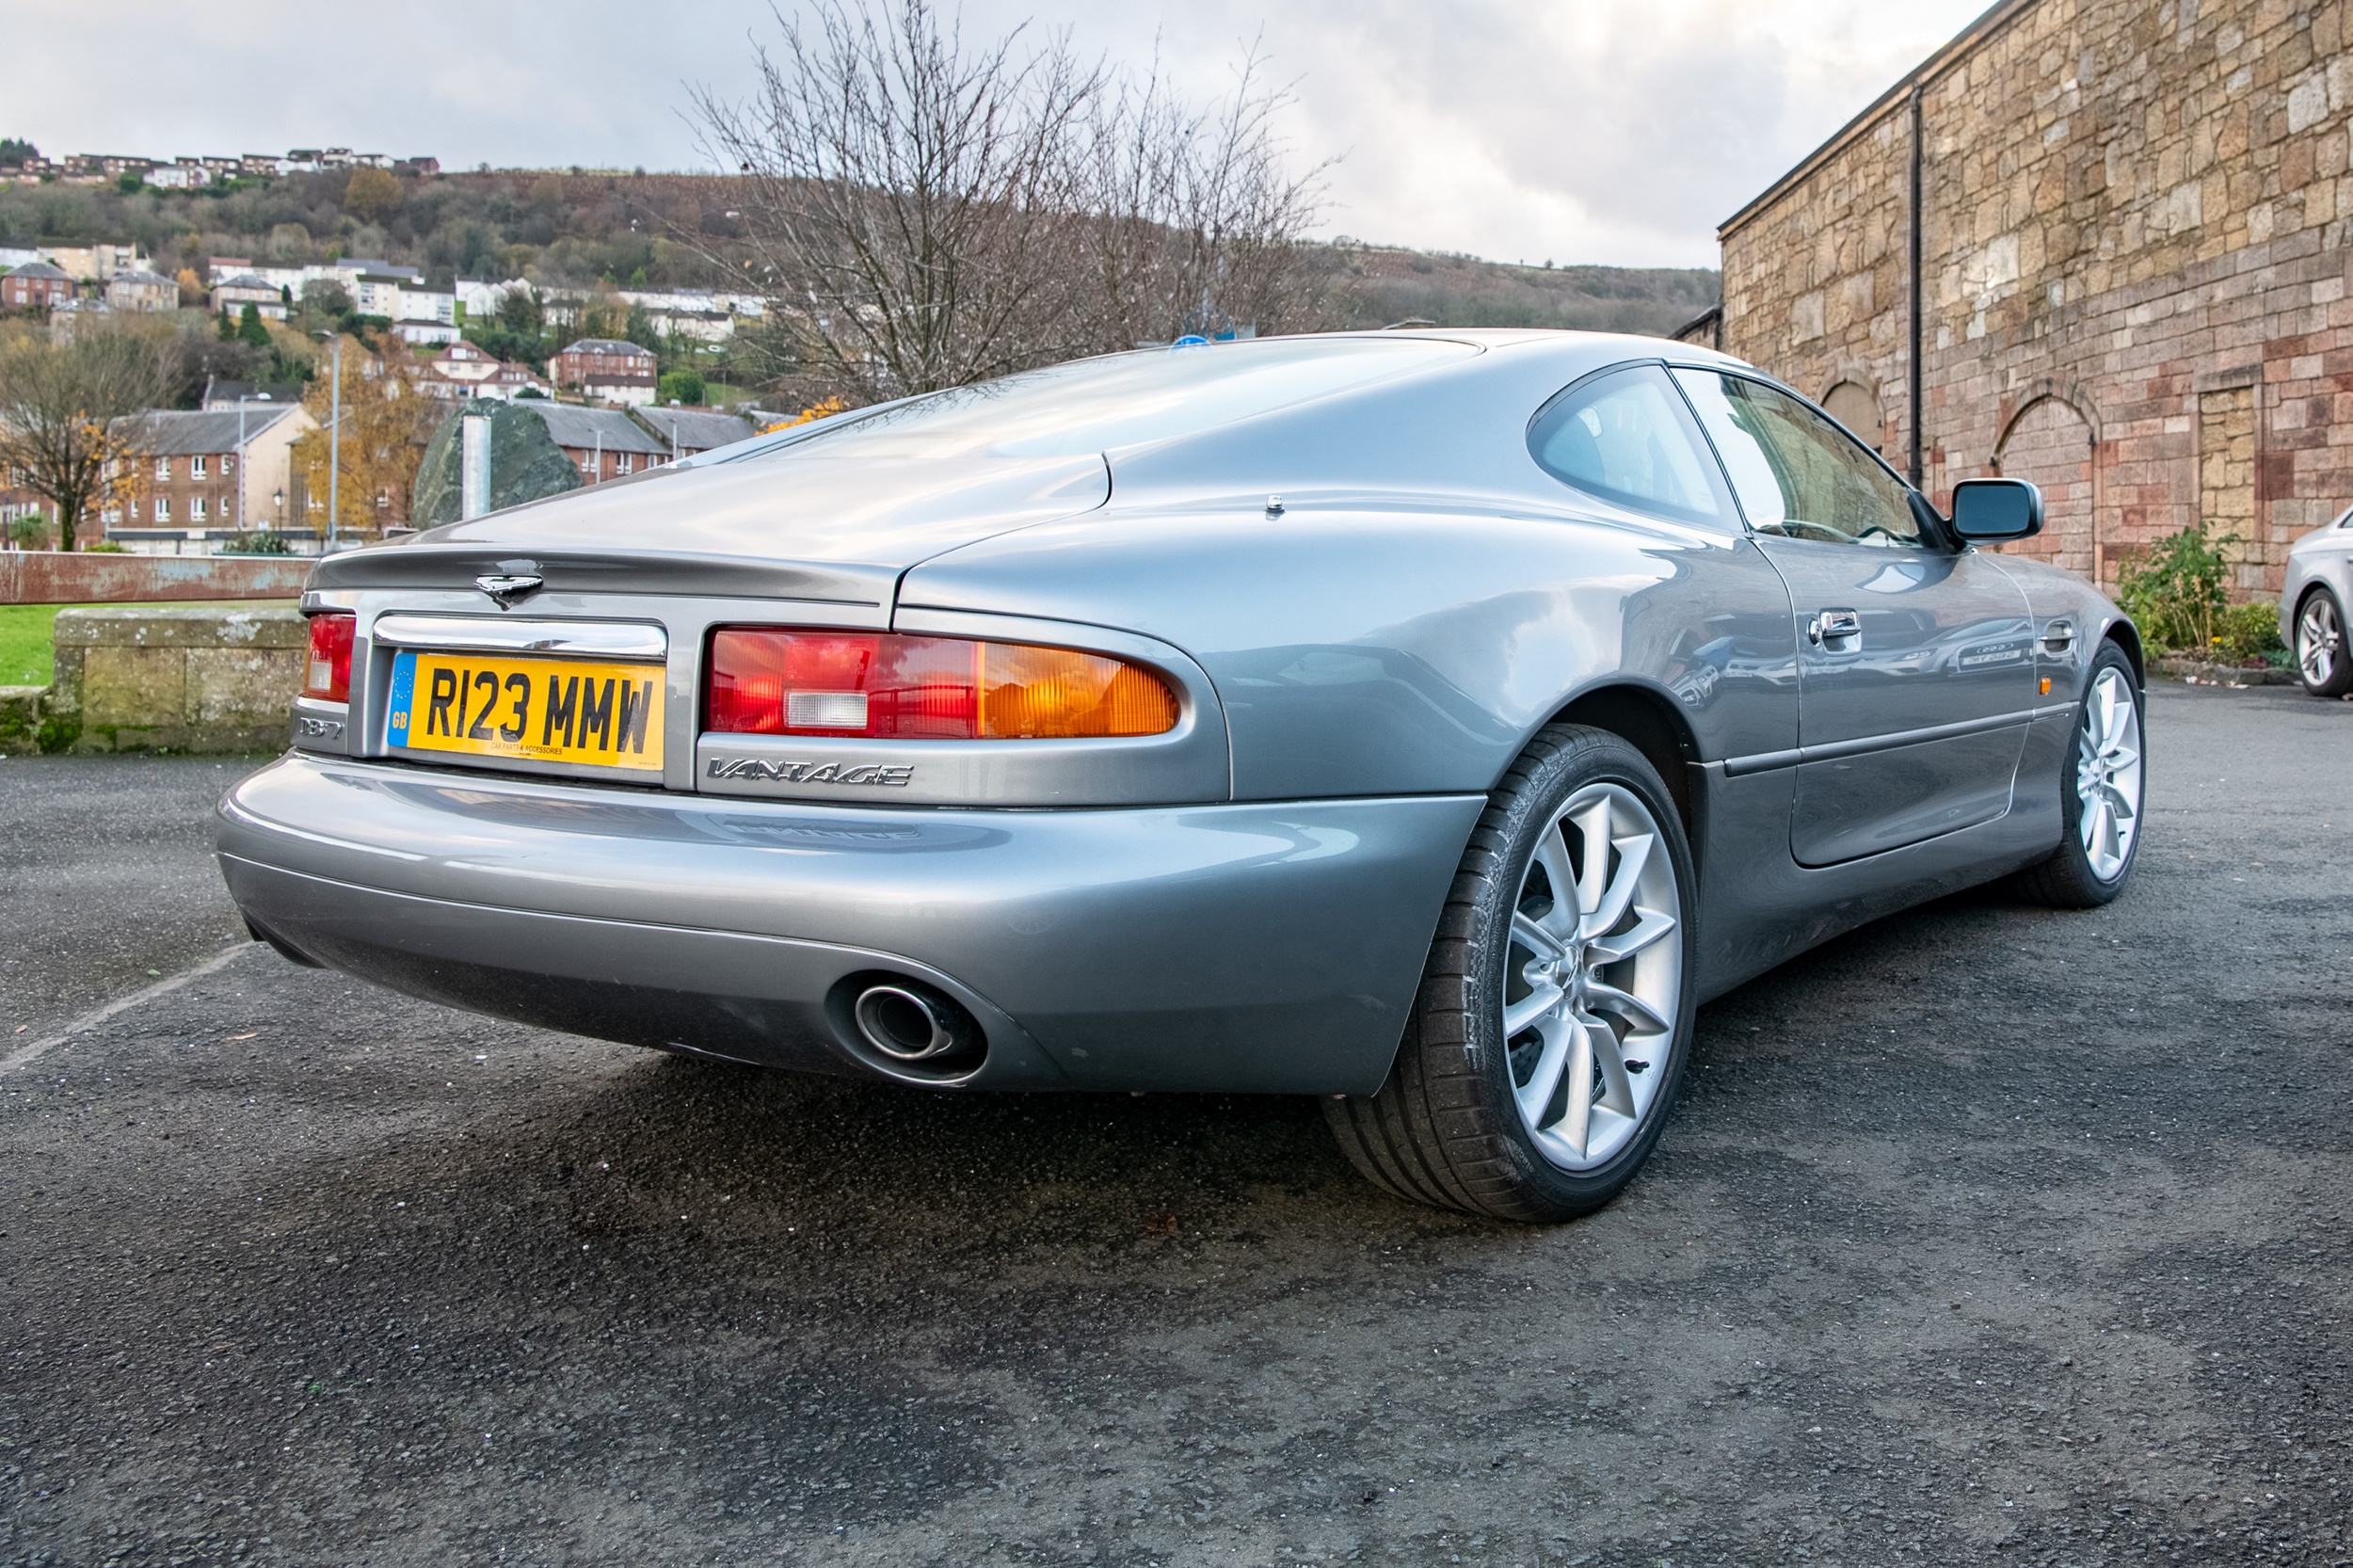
(1597, 990)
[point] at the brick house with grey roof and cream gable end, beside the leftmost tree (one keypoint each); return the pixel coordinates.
(213, 470)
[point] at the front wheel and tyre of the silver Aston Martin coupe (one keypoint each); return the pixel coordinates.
(2100, 795)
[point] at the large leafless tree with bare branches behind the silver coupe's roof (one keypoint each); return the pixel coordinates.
(926, 215)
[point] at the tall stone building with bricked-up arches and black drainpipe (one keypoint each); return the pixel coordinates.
(2095, 244)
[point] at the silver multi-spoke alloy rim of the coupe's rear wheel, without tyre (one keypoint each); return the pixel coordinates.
(1592, 983)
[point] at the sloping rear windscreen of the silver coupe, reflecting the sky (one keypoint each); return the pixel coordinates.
(1128, 399)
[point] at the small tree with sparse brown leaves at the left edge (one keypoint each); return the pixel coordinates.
(65, 416)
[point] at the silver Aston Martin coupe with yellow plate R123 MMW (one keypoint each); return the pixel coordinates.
(1425, 722)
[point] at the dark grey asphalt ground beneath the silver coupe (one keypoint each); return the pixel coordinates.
(1985, 1235)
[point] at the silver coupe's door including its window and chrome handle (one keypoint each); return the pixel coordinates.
(1914, 663)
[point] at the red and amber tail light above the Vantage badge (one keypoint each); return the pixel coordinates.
(886, 686)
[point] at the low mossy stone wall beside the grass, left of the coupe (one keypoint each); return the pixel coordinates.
(182, 679)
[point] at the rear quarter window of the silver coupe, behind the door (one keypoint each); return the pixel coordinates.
(1627, 439)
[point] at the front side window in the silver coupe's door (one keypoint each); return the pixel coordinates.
(1797, 472)
